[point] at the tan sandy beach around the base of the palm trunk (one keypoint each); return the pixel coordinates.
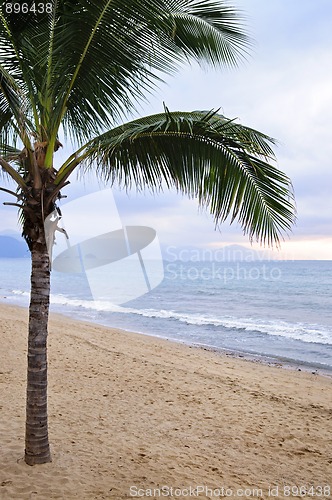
(135, 416)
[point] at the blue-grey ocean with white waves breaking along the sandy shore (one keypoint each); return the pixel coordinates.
(279, 310)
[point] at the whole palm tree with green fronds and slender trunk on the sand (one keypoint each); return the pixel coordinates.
(79, 66)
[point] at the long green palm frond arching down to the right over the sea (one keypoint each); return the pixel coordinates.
(227, 166)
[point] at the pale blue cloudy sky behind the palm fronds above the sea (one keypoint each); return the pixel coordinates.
(284, 89)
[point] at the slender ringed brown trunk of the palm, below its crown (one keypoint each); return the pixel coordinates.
(37, 450)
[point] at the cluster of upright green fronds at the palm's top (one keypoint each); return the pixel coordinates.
(86, 63)
